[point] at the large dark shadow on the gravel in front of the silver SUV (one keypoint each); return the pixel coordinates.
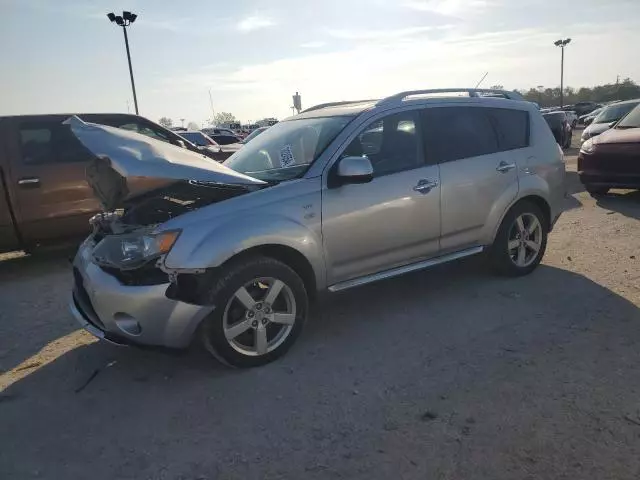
(368, 364)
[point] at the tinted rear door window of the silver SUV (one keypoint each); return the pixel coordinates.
(453, 133)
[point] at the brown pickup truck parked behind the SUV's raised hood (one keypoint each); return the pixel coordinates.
(44, 196)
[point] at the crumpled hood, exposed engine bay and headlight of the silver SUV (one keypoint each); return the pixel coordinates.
(143, 183)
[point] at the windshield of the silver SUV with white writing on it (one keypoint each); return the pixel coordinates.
(287, 149)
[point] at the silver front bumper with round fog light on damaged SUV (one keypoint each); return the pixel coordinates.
(123, 314)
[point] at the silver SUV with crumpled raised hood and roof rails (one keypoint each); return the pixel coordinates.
(342, 195)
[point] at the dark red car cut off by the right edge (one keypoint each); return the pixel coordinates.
(612, 159)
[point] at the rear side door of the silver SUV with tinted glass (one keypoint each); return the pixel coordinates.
(478, 167)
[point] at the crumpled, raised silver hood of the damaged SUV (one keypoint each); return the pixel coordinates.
(122, 154)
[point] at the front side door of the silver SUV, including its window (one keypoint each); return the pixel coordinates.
(395, 219)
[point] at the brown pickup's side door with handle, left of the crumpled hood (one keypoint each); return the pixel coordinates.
(51, 197)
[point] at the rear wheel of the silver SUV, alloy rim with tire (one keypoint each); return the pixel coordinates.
(501, 258)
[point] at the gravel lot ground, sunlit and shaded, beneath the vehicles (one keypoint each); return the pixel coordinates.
(446, 374)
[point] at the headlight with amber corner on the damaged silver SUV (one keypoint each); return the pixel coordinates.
(130, 251)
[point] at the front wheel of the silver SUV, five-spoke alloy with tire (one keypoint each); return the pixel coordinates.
(252, 274)
